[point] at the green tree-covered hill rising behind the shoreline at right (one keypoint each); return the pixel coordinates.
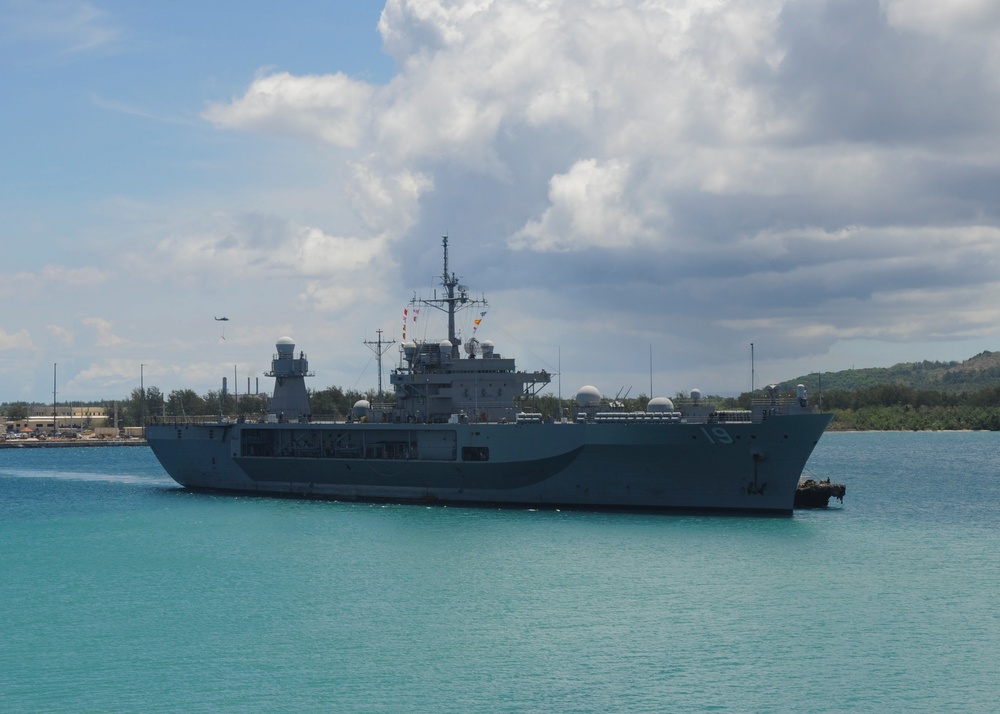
(975, 373)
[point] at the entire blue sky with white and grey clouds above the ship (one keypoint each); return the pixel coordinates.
(619, 178)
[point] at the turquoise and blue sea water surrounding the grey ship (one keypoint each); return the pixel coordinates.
(120, 592)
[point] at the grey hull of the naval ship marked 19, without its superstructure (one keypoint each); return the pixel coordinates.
(743, 467)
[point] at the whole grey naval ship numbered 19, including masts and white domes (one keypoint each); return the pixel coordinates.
(457, 432)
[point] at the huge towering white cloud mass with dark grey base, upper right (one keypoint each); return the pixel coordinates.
(816, 172)
